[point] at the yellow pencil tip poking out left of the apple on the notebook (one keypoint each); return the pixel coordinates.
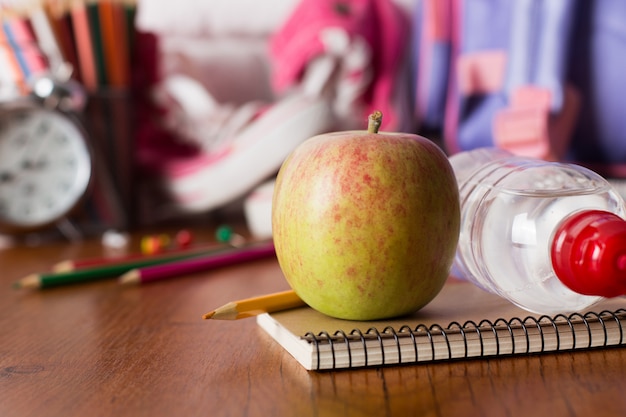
(254, 306)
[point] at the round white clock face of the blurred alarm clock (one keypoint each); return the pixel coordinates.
(45, 167)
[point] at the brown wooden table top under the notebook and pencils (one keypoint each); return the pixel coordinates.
(99, 349)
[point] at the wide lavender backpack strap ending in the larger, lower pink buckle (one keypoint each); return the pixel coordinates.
(542, 107)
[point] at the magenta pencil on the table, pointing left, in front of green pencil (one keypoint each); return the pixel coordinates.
(200, 264)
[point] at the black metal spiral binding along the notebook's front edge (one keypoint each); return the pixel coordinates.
(515, 331)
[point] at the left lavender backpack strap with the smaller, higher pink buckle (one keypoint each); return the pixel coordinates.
(479, 43)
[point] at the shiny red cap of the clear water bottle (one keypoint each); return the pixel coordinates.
(589, 253)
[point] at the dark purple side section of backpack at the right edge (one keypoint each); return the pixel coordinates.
(597, 66)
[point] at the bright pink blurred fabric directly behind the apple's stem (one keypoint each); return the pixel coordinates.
(381, 23)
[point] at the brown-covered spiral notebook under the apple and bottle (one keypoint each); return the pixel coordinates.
(462, 322)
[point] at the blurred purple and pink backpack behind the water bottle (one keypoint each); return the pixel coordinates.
(541, 78)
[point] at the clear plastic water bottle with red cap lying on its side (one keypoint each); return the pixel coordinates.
(550, 237)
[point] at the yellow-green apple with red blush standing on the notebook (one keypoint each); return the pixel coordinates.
(366, 224)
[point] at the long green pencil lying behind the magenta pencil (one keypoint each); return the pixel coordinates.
(35, 281)
